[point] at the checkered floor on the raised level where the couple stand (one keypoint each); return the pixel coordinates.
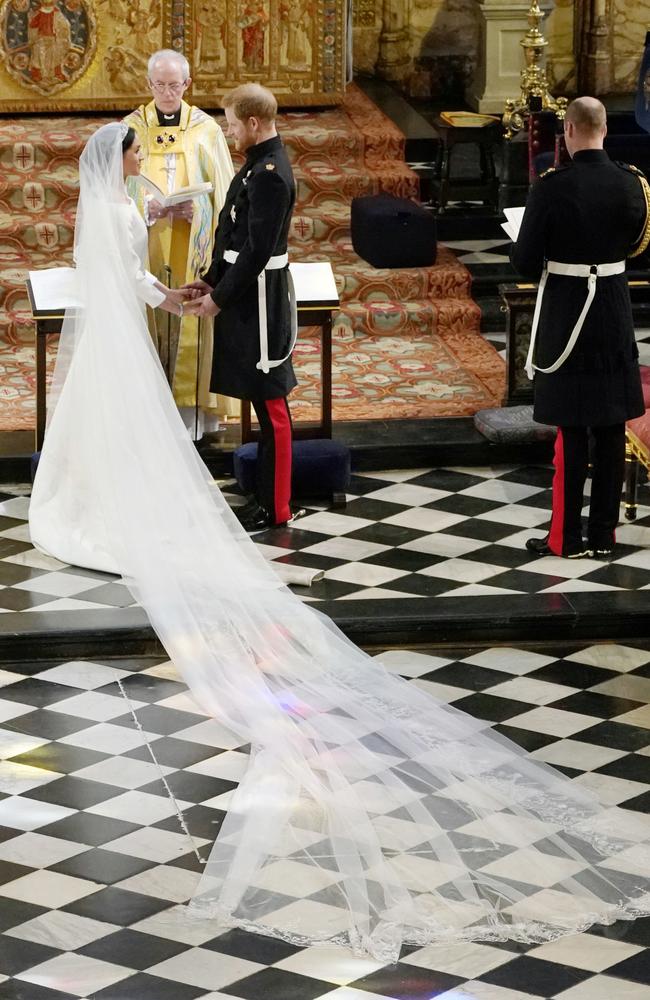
(446, 532)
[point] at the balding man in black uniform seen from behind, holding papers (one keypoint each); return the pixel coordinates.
(581, 223)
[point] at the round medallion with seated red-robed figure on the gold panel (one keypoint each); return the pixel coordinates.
(47, 44)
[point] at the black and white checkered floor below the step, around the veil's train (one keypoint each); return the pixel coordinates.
(95, 868)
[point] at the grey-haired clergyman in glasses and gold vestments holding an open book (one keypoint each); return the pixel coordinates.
(183, 146)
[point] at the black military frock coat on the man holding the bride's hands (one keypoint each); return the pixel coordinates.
(255, 222)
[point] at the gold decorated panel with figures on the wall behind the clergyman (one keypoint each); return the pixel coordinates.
(91, 55)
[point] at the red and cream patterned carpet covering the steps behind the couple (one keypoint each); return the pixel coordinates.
(406, 342)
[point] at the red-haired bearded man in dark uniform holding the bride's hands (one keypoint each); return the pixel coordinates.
(246, 289)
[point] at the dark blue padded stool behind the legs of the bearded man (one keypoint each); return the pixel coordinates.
(321, 467)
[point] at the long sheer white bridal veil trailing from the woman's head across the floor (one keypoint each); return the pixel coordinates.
(369, 814)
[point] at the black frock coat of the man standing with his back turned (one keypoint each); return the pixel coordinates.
(592, 211)
